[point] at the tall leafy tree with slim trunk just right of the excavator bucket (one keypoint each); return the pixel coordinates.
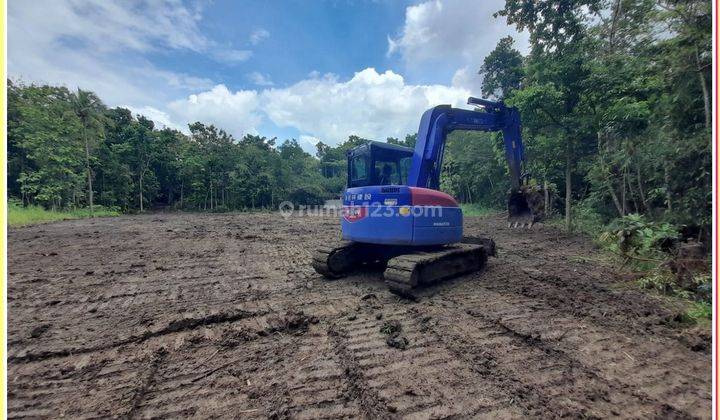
(556, 71)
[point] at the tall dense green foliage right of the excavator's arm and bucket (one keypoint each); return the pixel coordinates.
(613, 110)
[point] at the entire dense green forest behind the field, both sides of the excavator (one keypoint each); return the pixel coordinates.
(614, 95)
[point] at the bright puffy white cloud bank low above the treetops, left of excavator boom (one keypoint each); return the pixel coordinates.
(324, 108)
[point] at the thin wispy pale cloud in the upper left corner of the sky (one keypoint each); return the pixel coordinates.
(101, 46)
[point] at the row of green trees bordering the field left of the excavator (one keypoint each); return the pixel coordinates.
(67, 149)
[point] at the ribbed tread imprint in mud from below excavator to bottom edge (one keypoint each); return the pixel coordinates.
(424, 380)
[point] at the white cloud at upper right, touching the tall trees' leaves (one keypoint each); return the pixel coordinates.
(453, 31)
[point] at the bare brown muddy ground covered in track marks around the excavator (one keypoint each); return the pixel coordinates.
(199, 315)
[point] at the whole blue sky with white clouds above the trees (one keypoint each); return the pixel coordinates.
(308, 70)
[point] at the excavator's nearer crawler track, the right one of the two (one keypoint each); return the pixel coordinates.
(407, 272)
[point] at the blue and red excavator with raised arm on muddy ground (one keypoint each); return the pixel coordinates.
(394, 215)
